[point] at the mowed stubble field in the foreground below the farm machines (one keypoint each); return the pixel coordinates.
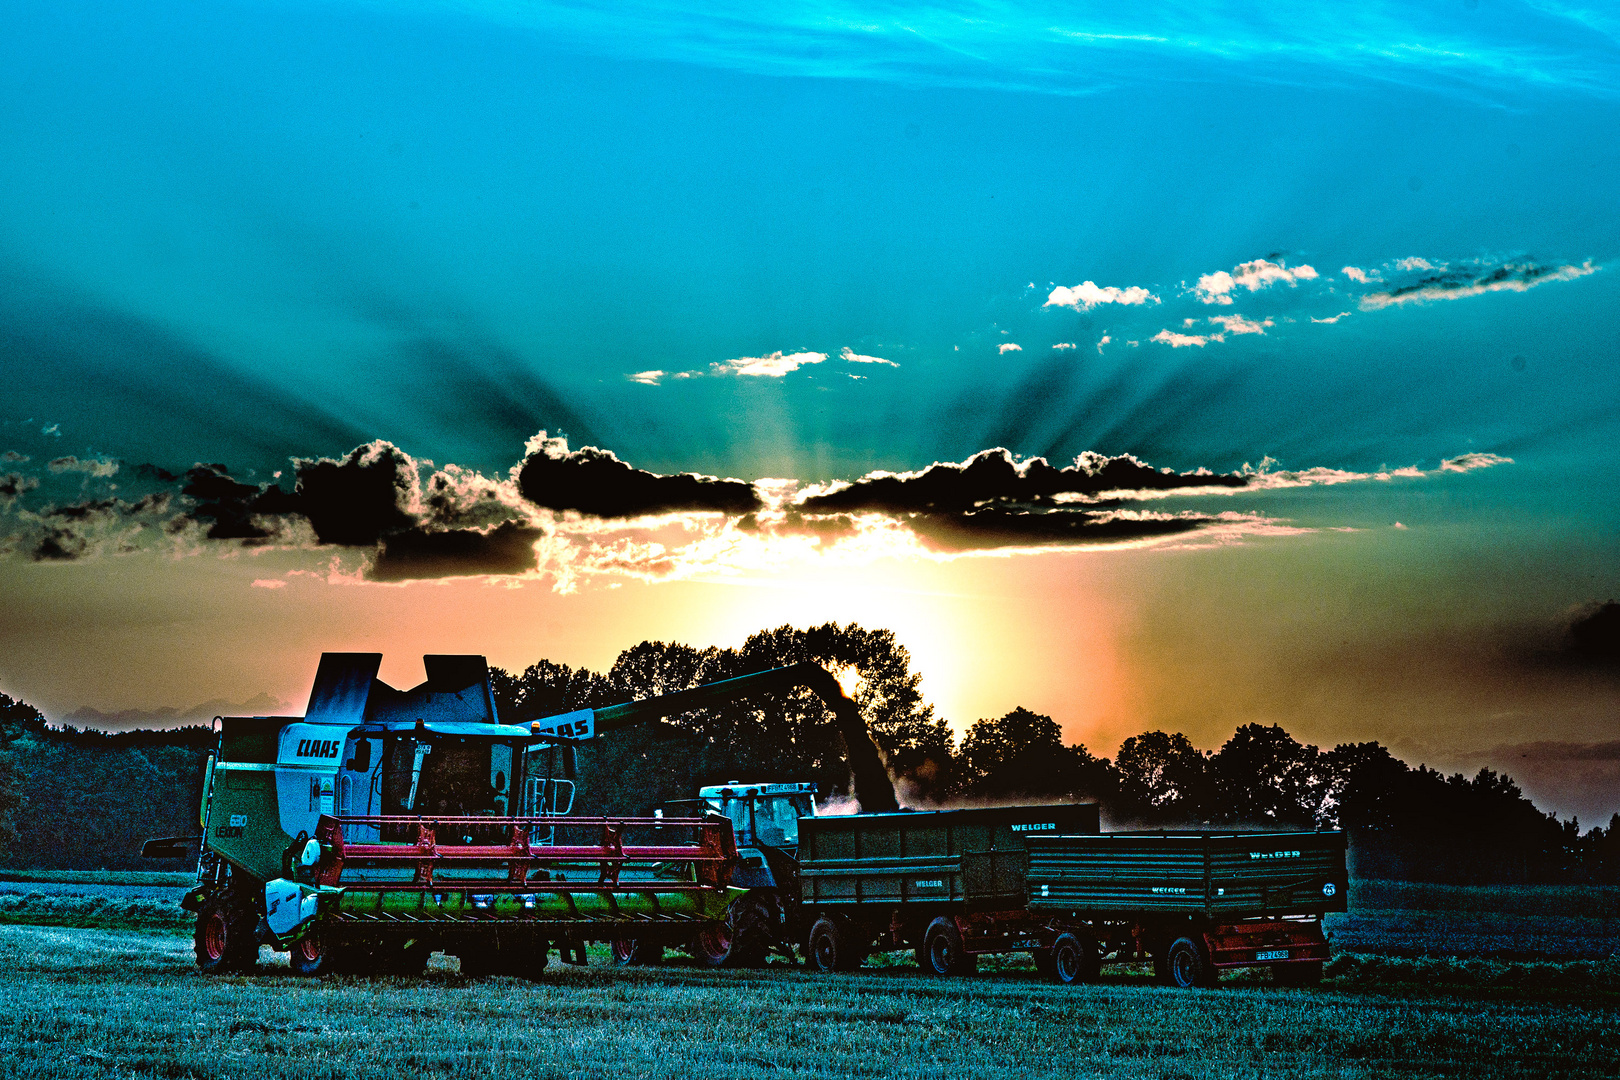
(96, 1003)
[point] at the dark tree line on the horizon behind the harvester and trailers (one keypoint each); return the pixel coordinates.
(85, 799)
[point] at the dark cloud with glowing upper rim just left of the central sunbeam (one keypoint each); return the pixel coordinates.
(597, 483)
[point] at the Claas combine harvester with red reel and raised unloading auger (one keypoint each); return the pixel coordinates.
(386, 825)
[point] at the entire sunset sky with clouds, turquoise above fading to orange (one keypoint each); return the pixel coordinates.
(1169, 367)
